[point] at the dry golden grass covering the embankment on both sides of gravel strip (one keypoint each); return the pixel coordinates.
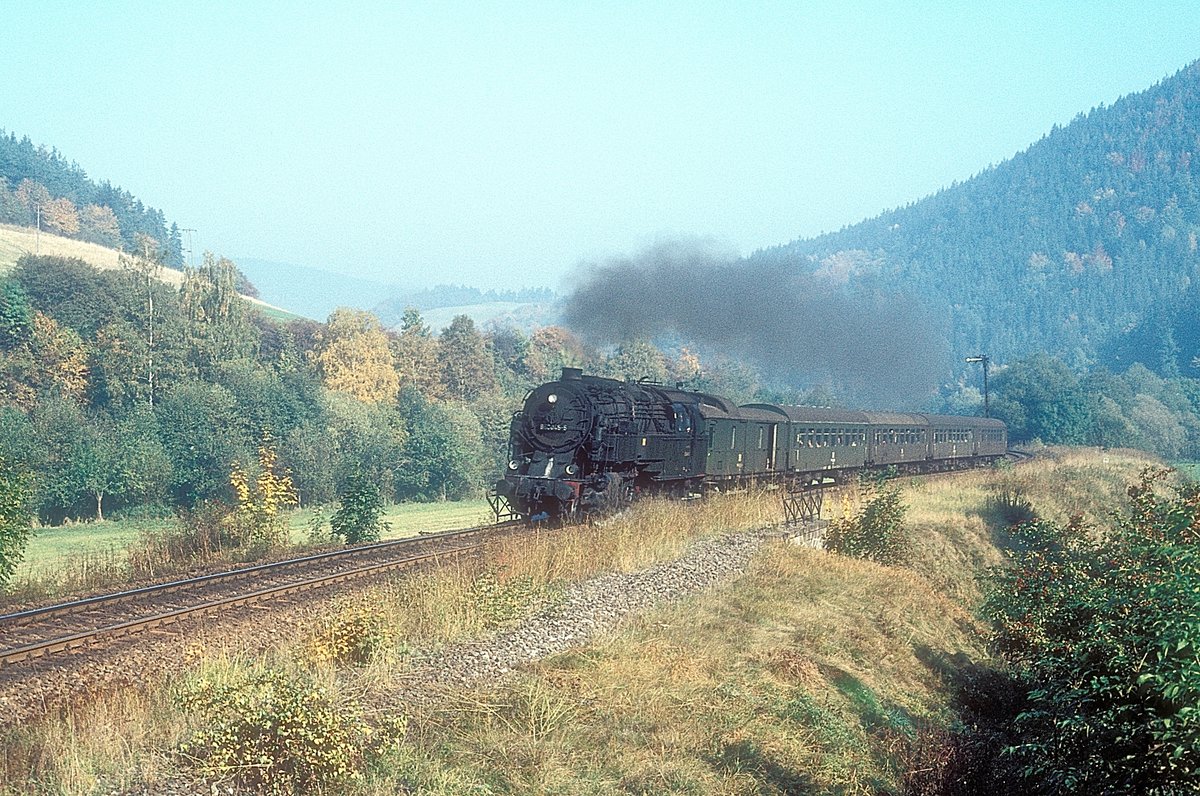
(811, 673)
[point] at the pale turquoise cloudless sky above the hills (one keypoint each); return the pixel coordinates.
(502, 145)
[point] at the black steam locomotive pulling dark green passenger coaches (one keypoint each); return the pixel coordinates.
(589, 445)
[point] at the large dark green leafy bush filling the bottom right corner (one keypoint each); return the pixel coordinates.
(1103, 631)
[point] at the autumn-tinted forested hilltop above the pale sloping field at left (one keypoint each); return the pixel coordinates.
(40, 187)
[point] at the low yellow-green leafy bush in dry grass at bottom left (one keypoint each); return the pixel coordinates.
(275, 732)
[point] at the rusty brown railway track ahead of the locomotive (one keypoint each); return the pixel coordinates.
(56, 630)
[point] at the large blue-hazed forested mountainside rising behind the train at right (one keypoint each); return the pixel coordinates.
(1084, 246)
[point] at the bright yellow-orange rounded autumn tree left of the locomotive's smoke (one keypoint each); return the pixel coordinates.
(356, 358)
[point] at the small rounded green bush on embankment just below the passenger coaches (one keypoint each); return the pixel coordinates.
(877, 532)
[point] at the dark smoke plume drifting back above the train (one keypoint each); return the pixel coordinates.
(884, 350)
